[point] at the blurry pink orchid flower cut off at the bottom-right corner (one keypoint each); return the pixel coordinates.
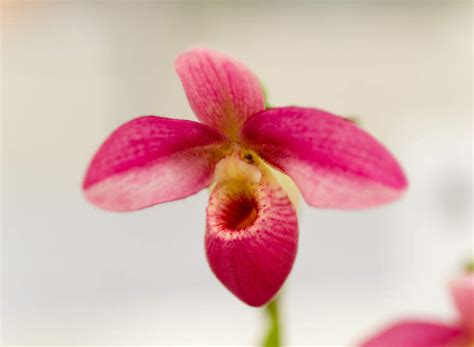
(416, 333)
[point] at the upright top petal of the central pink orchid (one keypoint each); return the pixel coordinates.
(222, 92)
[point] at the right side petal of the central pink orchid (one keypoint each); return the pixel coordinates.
(333, 162)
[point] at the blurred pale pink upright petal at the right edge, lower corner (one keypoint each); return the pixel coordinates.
(462, 290)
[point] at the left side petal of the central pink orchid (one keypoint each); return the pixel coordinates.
(150, 160)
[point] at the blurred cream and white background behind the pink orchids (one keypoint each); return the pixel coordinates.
(73, 71)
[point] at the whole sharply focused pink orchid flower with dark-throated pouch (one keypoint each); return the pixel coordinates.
(252, 226)
